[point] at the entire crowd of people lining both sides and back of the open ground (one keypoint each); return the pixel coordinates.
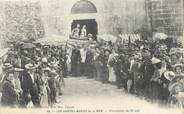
(153, 70)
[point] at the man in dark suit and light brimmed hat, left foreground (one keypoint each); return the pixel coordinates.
(30, 85)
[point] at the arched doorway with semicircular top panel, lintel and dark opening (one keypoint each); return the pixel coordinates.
(85, 8)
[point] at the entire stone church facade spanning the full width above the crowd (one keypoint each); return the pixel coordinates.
(40, 18)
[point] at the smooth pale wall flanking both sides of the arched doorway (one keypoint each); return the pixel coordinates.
(113, 16)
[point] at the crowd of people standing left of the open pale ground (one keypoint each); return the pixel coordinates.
(33, 75)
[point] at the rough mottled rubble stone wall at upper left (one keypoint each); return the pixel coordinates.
(21, 20)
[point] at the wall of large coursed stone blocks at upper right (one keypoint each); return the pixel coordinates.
(166, 16)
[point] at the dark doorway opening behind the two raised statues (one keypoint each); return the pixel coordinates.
(91, 26)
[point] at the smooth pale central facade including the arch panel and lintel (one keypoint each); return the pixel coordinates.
(125, 15)
